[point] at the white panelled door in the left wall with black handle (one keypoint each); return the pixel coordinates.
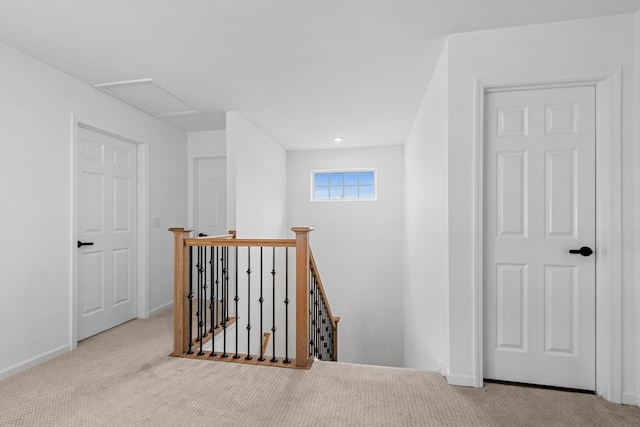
(107, 231)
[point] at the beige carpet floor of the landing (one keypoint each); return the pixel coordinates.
(124, 377)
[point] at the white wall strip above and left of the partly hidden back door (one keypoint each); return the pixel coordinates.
(211, 143)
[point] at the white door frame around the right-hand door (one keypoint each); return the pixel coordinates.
(608, 84)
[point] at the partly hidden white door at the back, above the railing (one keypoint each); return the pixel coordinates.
(210, 200)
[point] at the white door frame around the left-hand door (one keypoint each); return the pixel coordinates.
(142, 203)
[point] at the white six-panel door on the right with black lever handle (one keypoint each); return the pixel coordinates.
(539, 198)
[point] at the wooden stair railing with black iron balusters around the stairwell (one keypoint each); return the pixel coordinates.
(207, 295)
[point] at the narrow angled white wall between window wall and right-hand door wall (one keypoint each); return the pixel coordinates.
(425, 229)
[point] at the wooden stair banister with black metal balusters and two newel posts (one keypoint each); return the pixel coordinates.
(189, 318)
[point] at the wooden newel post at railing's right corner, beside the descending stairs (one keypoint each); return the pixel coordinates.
(303, 354)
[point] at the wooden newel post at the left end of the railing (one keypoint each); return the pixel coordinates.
(180, 291)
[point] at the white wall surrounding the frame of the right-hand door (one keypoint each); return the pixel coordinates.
(586, 44)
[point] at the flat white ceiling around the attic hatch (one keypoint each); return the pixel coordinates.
(303, 71)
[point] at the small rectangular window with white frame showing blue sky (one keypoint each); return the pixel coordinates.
(343, 185)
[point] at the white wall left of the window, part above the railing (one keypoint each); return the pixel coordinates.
(256, 181)
